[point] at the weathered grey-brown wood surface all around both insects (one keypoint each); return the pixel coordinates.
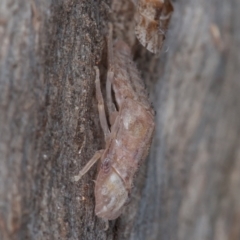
(49, 126)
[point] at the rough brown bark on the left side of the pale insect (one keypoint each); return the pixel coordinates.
(49, 120)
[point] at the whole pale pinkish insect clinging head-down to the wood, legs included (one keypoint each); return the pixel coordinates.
(129, 138)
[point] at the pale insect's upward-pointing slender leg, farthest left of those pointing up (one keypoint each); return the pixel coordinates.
(101, 108)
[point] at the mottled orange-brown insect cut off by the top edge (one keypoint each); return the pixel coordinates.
(152, 22)
